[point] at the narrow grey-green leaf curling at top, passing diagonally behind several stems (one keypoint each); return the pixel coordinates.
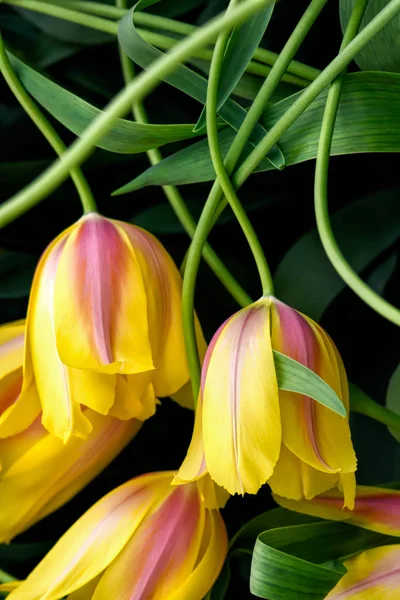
(185, 79)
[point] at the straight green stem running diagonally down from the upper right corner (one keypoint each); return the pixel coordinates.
(315, 88)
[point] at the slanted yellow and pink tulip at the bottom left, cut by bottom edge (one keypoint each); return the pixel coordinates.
(145, 540)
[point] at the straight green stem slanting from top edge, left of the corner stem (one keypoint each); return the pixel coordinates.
(269, 86)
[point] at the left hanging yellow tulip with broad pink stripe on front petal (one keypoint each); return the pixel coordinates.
(104, 326)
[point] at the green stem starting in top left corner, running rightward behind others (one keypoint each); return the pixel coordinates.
(63, 10)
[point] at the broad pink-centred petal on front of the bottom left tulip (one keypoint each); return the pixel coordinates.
(162, 553)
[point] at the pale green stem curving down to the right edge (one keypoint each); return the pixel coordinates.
(328, 240)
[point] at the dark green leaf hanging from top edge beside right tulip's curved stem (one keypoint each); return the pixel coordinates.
(240, 50)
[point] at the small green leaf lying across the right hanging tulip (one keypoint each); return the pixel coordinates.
(295, 377)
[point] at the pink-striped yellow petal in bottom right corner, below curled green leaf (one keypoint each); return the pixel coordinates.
(373, 574)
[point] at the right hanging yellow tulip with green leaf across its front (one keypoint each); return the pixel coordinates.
(247, 432)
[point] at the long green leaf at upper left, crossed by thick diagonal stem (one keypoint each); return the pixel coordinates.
(126, 137)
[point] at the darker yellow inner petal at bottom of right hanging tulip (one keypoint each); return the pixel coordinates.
(293, 478)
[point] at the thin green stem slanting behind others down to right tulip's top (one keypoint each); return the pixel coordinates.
(175, 199)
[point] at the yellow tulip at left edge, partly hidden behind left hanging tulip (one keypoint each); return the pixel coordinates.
(38, 473)
